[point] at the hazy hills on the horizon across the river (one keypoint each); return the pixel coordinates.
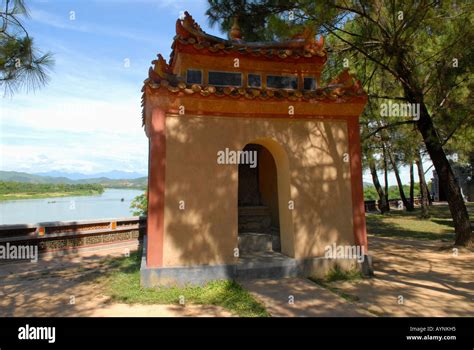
(17, 176)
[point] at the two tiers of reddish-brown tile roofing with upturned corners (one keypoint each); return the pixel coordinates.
(162, 80)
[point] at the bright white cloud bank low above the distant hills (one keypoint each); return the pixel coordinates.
(73, 135)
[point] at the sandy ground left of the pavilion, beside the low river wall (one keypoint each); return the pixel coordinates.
(65, 286)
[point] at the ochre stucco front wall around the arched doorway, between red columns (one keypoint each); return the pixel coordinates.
(309, 155)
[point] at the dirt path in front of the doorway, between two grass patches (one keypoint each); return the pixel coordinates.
(300, 297)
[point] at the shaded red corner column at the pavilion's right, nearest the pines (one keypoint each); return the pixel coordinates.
(358, 208)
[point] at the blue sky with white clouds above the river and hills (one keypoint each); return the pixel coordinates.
(88, 118)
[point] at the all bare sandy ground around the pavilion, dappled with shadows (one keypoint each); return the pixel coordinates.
(413, 278)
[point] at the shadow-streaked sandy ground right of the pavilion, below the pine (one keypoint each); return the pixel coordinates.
(415, 278)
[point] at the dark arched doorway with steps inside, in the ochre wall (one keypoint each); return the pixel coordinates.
(258, 201)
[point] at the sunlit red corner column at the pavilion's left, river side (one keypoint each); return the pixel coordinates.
(156, 188)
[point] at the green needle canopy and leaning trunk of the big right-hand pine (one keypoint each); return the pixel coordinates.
(416, 52)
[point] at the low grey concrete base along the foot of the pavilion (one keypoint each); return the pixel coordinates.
(256, 265)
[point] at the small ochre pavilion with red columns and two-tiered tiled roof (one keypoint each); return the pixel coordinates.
(299, 188)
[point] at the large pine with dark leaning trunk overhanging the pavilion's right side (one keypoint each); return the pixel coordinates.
(424, 46)
